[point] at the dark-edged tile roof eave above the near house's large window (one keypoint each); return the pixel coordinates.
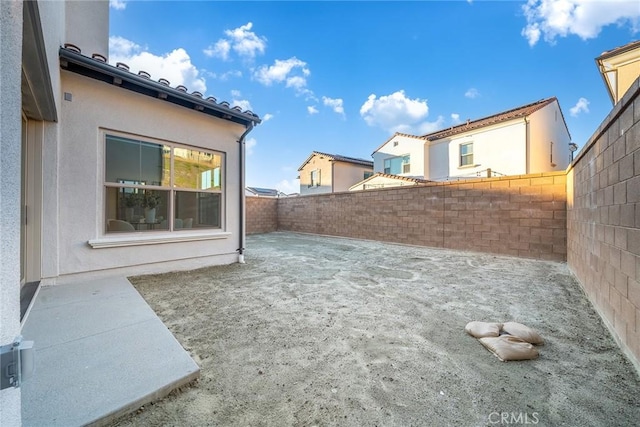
(96, 67)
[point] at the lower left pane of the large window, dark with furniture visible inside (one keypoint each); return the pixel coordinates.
(134, 209)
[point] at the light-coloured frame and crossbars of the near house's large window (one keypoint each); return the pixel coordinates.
(171, 189)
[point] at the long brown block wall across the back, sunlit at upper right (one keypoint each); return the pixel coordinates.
(517, 215)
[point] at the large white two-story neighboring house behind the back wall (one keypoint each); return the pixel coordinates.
(532, 138)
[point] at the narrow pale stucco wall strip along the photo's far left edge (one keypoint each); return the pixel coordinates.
(10, 147)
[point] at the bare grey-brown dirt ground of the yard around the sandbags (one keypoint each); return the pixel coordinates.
(316, 331)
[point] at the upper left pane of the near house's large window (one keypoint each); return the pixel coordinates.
(135, 162)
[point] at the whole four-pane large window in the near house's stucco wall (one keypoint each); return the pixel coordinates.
(150, 186)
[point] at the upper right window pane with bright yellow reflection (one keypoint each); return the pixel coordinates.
(197, 170)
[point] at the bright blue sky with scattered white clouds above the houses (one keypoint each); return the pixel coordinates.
(342, 77)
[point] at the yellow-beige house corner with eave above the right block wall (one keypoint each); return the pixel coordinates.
(620, 67)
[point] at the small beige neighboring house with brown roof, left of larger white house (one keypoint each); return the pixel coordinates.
(330, 173)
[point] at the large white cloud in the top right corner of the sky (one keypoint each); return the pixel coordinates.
(584, 18)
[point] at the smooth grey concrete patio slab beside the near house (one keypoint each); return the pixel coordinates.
(100, 352)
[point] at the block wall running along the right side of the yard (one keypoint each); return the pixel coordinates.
(604, 221)
